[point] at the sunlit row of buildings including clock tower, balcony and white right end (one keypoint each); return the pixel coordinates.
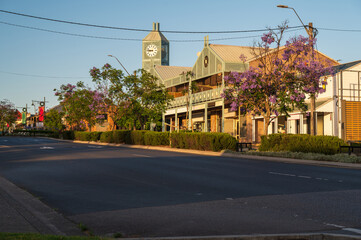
(204, 109)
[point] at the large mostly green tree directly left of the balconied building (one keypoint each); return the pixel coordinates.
(133, 101)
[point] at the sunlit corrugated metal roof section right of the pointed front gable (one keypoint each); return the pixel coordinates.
(230, 53)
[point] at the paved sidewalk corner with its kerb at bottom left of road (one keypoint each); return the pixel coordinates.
(20, 212)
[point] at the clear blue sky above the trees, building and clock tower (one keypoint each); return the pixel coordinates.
(59, 59)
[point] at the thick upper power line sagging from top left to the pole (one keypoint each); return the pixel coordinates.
(137, 29)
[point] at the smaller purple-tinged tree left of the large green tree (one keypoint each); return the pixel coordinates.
(83, 107)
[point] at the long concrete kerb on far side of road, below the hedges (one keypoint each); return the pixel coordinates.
(233, 155)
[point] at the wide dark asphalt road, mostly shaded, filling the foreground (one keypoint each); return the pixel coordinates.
(143, 193)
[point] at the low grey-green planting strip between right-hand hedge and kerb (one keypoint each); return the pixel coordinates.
(340, 157)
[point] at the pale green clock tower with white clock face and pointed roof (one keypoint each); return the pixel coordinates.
(155, 50)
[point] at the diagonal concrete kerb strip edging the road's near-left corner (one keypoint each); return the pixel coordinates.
(41, 217)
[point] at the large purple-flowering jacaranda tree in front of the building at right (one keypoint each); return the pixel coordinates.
(280, 78)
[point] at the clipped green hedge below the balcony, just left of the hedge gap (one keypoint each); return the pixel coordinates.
(203, 141)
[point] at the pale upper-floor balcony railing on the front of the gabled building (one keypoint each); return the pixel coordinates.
(197, 98)
